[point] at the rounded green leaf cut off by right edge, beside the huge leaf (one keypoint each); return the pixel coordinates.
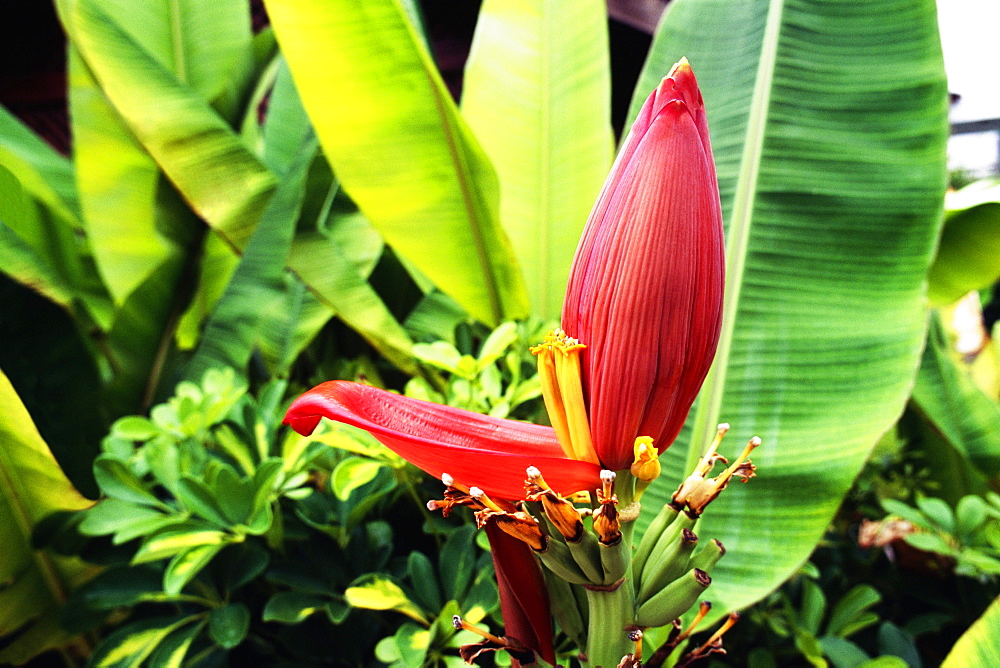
(970, 243)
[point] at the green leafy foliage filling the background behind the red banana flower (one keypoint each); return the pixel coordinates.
(242, 203)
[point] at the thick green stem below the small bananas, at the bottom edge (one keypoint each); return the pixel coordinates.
(612, 615)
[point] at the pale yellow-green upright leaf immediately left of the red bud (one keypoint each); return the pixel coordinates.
(537, 95)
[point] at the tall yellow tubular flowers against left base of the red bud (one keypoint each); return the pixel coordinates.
(562, 389)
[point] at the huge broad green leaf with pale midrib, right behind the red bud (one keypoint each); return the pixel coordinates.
(829, 126)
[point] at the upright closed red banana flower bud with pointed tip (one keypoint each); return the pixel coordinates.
(645, 291)
